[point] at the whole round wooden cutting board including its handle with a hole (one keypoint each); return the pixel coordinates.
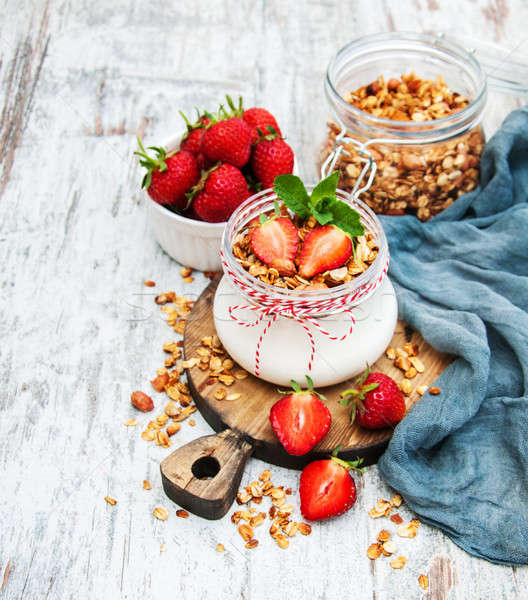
(203, 476)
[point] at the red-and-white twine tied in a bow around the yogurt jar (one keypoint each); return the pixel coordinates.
(302, 310)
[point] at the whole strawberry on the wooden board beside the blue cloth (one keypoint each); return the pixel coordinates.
(378, 401)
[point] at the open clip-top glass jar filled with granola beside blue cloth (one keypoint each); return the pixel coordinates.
(423, 166)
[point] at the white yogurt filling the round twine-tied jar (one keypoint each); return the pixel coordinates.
(285, 349)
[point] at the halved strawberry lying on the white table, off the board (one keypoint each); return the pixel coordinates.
(326, 487)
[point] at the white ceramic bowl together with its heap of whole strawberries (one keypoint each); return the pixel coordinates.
(197, 179)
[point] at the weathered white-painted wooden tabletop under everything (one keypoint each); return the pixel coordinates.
(80, 332)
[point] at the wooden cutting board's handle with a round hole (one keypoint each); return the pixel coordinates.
(203, 476)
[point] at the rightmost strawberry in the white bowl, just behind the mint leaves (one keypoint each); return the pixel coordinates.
(271, 157)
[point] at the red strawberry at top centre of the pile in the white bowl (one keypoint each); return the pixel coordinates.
(227, 140)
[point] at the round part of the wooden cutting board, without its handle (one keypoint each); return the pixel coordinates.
(249, 415)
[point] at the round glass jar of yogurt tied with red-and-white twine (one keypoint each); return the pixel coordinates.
(310, 333)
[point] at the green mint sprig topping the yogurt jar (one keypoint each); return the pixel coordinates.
(322, 203)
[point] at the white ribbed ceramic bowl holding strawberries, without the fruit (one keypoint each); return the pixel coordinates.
(192, 243)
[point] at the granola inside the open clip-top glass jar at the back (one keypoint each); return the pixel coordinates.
(417, 180)
